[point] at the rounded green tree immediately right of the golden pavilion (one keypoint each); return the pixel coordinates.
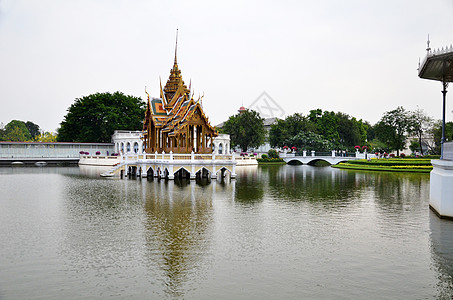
(246, 129)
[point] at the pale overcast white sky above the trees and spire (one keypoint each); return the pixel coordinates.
(354, 56)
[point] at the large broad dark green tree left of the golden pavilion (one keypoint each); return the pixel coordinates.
(94, 118)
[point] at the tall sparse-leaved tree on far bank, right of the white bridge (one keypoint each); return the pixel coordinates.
(392, 129)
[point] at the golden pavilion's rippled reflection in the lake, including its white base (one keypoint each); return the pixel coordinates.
(179, 221)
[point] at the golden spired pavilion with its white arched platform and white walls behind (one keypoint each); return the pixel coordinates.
(177, 138)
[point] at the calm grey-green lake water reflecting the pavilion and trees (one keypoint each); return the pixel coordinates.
(283, 232)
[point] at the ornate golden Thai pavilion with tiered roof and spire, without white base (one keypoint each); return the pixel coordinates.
(175, 121)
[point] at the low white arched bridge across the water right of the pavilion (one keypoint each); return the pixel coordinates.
(332, 157)
